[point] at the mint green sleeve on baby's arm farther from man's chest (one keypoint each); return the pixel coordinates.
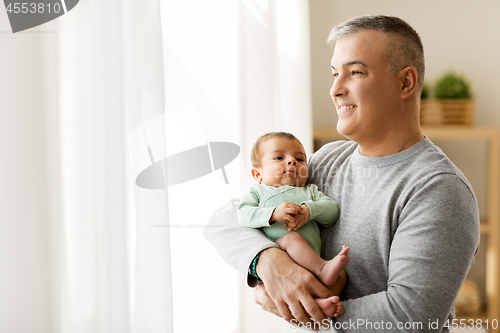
(249, 212)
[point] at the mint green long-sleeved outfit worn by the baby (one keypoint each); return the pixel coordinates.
(257, 206)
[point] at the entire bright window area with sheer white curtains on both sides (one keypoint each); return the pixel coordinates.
(140, 81)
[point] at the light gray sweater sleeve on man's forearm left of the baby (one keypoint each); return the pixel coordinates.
(236, 244)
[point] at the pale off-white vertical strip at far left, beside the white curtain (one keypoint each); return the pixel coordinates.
(25, 302)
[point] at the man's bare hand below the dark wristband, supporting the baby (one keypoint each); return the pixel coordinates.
(291, 288)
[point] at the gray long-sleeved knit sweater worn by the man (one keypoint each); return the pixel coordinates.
(411, 222)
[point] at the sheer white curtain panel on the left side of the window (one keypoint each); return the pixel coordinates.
(112, 270)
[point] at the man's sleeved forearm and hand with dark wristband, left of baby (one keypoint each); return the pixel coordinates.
(288, 284)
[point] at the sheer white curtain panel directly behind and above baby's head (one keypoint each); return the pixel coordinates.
(275, 94)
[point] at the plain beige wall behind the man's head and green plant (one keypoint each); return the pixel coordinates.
(456, 36)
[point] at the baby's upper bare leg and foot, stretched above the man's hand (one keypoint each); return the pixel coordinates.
(299, 250)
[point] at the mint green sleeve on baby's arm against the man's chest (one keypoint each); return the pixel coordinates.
(323, 209)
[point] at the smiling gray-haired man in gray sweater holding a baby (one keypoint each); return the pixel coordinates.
(408, 215)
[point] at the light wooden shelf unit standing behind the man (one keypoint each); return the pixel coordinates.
(490, 226)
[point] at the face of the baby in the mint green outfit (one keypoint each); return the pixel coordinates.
(282, 162)
